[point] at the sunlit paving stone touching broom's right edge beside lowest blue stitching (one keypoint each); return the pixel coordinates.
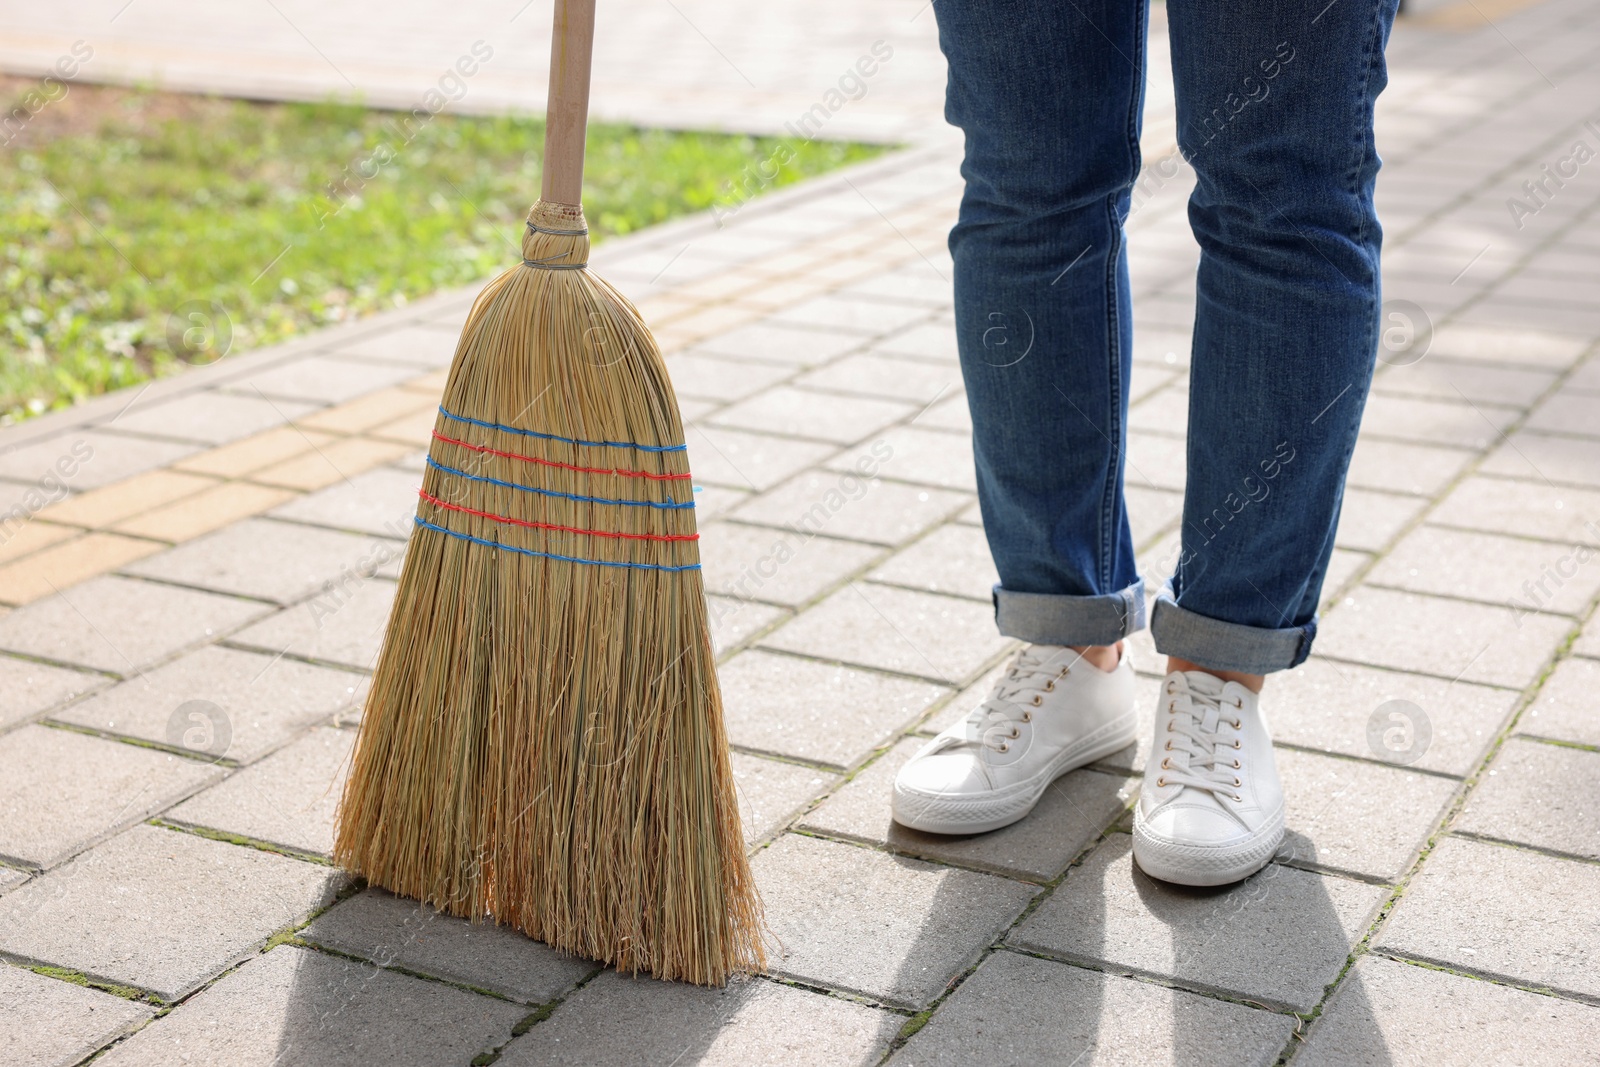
(777, 565)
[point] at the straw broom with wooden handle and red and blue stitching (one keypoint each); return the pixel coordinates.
(543, 743)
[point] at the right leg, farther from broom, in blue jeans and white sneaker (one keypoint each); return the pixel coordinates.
(1276, 118)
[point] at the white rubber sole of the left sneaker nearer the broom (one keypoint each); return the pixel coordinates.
(980, 813)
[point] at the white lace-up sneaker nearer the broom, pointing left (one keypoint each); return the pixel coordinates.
(1047, 716)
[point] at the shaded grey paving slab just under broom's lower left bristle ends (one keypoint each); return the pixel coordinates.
(399, 933)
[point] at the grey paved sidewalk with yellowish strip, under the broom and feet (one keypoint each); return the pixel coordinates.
(191, 629)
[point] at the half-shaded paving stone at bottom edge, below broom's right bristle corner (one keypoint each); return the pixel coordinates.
(641, 1023)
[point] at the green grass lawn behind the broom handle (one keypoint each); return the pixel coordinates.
(122, 212)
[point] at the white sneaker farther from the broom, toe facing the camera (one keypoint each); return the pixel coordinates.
(1212, 807)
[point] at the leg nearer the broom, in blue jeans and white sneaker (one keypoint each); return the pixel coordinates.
(1049, 98)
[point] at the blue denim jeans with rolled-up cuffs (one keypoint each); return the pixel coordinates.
(1276, 116)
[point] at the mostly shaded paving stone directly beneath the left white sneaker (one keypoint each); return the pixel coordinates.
(1071, 815)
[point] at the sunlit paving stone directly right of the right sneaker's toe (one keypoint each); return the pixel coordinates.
(1358, 818)
